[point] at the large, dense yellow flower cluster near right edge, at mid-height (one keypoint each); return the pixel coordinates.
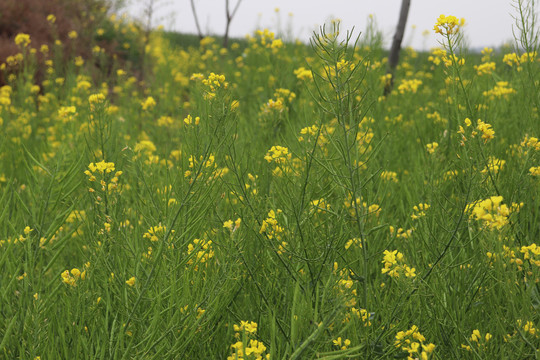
(491, 212)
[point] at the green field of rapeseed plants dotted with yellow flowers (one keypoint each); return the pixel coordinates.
(267, 202)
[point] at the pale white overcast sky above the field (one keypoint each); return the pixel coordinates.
(489, 22)
